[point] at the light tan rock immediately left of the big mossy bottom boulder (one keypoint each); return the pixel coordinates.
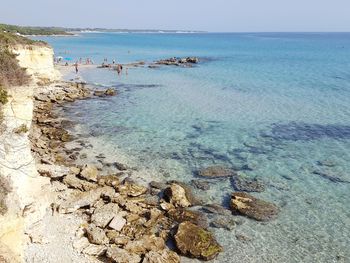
(145, 244)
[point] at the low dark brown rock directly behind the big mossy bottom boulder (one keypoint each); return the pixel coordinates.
(182, 215)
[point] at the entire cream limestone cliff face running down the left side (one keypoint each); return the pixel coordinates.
(29, 198)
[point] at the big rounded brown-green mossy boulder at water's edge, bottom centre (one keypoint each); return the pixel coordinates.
(194, 241)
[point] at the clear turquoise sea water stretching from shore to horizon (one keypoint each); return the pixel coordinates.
(275, 106)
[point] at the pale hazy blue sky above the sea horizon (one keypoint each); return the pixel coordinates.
(215, 15)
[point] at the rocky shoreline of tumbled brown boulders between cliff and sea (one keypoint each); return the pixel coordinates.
(120, 220)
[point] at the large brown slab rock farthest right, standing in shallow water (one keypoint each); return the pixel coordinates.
(252, 207)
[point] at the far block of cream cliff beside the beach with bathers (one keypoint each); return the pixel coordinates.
(38, 60)
